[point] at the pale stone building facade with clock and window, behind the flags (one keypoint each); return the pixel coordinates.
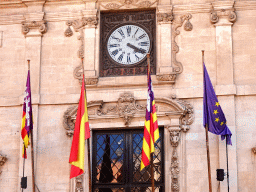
(113, 37)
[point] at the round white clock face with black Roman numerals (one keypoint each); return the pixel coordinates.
(128, 44)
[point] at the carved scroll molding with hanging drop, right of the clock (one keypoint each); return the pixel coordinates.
(177, 66)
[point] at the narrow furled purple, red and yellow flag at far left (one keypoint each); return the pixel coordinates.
(27, 122)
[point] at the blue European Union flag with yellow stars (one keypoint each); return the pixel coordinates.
(213, 114)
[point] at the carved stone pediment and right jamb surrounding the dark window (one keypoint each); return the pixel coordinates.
(176, 116)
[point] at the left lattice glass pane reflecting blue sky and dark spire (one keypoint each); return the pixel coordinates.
(110, 158)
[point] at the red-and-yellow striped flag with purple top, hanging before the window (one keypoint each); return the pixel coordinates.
(151, 131)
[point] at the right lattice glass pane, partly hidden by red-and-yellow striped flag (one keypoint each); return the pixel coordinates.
(145, 174)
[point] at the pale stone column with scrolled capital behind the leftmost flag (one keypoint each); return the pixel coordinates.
(33, 28)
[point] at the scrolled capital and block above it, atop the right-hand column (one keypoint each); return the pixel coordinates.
(223, 11)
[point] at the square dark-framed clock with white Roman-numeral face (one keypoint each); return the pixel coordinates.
(125, 39)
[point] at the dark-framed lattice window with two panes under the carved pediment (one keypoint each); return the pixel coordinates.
(116, 162)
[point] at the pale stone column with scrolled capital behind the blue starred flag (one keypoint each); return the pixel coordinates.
(223, 16)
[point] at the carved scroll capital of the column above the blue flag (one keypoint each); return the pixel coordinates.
(228, 13)
